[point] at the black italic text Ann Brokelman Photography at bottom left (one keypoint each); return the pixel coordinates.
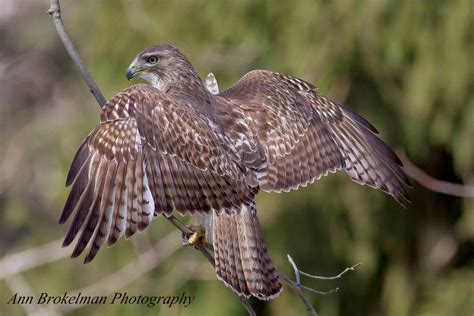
(120, 298)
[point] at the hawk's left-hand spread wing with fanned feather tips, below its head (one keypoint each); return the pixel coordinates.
(149, 155)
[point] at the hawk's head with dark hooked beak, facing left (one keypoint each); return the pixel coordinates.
(160, 65)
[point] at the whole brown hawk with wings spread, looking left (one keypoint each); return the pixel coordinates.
(174, 145)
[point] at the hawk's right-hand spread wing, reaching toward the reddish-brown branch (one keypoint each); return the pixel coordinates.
(305, 136)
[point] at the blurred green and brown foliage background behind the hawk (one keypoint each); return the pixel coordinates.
(404, 65)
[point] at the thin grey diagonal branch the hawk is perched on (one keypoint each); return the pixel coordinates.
(55, 12)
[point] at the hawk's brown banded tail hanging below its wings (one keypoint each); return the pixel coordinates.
(241, 257)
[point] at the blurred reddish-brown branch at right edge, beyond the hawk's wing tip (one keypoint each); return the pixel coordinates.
(435, 185)
